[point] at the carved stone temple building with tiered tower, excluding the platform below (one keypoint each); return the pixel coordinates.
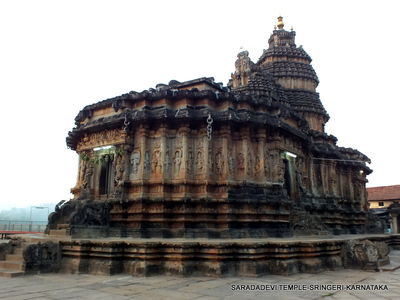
(198, 159)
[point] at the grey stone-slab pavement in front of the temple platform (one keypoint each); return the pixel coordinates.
(73, 286)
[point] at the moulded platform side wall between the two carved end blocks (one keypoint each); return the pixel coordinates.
(199, 257)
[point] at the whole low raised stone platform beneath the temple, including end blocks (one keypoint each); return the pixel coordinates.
(209, 257)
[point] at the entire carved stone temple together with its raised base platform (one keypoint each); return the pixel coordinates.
(199, 178)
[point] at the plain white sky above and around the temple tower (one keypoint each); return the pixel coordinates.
(58, 56)
